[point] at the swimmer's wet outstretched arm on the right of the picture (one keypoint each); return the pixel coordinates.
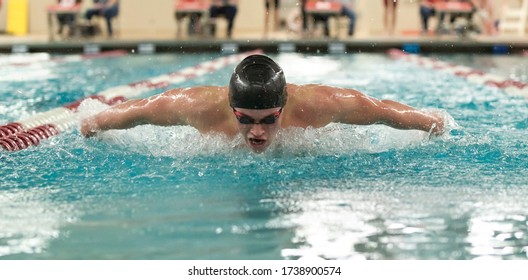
(364, 110)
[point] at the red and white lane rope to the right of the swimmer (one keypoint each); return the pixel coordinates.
(511, 87)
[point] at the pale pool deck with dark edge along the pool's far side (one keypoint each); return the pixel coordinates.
(275, 42)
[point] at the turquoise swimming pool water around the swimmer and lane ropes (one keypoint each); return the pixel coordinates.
(340, 192)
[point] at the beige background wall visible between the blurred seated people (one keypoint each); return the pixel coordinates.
(155, 18)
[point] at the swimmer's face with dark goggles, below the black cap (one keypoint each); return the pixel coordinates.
(259, 127)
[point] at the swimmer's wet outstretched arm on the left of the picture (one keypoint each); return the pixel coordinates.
(157, 110)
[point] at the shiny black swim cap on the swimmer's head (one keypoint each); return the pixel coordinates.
(257, 83)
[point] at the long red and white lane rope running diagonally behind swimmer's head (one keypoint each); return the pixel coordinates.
(29, 132)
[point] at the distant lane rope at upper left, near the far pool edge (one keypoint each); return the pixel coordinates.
(29, 59)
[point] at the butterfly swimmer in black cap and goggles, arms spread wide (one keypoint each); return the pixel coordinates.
(257, 104)
